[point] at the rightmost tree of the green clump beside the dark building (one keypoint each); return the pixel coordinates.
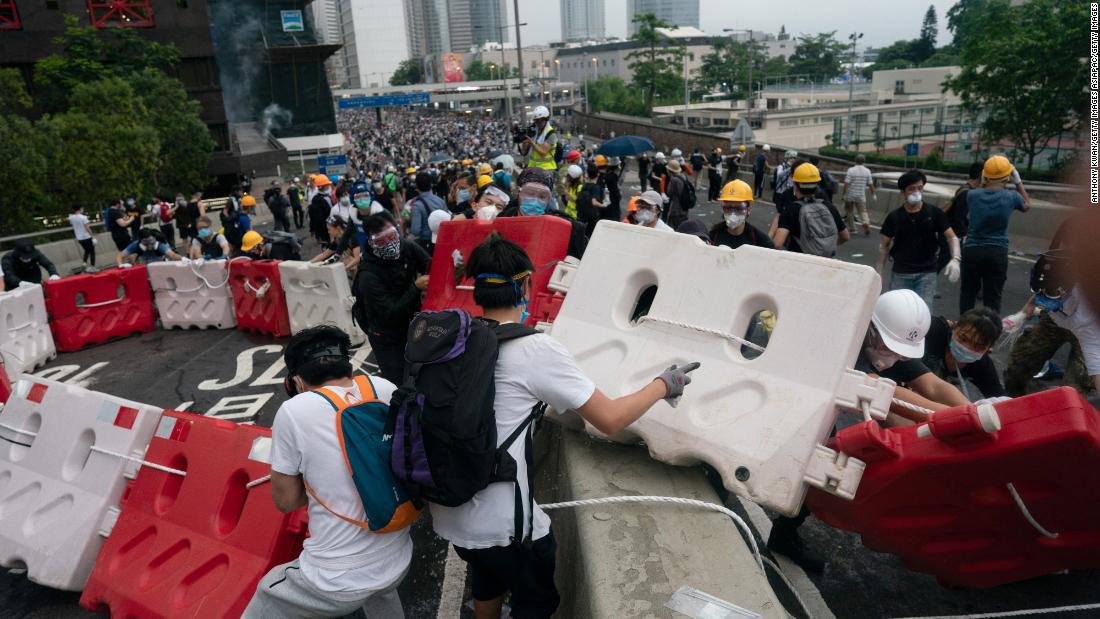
(185, 143)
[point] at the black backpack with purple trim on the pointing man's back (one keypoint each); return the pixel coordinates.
(443, 417)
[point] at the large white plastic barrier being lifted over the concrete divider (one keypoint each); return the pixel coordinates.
(756, 419)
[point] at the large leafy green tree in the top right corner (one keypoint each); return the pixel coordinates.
(1022, 67)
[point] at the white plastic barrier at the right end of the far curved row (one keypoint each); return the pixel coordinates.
(318, 295)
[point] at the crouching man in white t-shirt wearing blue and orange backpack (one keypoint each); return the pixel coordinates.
(343, 568)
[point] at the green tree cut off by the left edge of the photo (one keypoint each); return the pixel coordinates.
(23, 195)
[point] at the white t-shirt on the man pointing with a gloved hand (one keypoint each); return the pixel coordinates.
(529, 371)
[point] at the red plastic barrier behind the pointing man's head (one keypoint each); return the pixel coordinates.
(546, 240)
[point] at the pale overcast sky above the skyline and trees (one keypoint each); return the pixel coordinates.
(882, 23)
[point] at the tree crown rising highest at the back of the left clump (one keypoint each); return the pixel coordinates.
(89, 54)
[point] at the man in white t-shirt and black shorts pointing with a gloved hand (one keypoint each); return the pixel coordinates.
(530, 370)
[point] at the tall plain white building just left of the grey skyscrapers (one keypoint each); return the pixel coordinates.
(375, 41)
